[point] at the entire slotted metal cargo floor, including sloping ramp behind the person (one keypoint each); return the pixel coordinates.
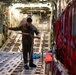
(11, 62)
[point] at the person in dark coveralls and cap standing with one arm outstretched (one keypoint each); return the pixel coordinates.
(28, 30)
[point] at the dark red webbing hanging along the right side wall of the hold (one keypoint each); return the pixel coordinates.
(65, 38)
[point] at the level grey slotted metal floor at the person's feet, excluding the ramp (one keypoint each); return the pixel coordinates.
(12, 64)
